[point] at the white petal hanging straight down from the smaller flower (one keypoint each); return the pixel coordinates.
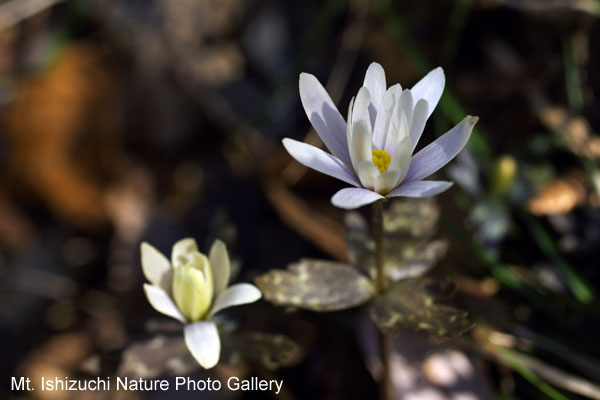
(202, 339)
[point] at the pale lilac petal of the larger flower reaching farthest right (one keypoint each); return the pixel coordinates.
(438, 153)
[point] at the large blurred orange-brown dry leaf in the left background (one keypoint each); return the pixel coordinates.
(61, 128)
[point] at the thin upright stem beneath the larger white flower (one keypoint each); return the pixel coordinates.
(385, 340)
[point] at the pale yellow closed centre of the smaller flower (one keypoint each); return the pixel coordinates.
(193, 287)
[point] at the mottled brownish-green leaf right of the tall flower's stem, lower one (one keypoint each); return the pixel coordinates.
(411, 305)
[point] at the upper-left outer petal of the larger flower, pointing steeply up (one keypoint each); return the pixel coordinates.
(324, 116)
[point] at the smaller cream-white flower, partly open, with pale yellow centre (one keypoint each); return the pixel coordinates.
(192, 289)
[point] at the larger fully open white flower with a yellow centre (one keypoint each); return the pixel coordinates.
(373, 149)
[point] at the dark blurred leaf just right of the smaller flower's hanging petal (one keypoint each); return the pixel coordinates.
(270, 351)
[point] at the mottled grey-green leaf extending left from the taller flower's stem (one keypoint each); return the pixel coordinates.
(316, 285)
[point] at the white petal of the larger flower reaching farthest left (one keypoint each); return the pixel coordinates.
(317, 159)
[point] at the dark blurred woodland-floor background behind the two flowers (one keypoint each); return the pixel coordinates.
(129, 121)
